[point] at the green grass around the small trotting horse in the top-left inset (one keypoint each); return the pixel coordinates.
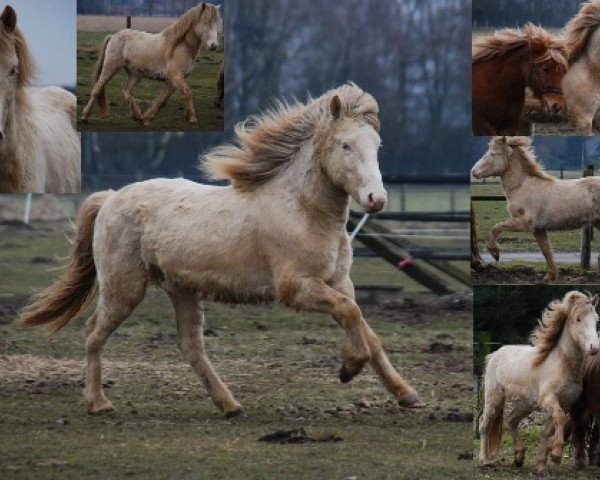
(202, 81)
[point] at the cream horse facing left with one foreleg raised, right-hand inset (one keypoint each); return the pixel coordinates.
(536, 201)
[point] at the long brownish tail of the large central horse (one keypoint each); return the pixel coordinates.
(70, 295)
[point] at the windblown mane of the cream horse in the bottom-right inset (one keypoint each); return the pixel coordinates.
(546, 335)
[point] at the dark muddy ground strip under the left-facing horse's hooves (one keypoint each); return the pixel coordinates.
(491, 275)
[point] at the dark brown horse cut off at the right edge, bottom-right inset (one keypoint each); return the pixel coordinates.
(586, 408)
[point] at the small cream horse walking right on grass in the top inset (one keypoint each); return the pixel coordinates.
(168, 56)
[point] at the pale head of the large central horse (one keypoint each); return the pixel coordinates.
(351, 164)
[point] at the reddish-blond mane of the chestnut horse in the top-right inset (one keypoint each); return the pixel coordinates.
(510, 40)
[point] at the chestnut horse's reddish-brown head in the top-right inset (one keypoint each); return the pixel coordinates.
(545, 71)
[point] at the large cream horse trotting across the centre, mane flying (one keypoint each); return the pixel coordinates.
(278, 232)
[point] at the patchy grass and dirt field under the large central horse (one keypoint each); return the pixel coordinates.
(282, 366)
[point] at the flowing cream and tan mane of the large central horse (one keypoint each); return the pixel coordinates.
(265, 144)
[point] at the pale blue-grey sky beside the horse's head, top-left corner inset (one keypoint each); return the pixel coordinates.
(50, 28)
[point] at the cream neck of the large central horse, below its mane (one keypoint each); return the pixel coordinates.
(312, 191)
